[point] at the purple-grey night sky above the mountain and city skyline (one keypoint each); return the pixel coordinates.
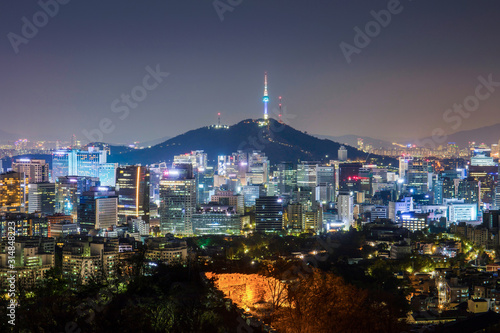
(66, 77)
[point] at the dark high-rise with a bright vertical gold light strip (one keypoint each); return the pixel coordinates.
(132, 188)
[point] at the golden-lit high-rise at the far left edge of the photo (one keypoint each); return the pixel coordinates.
(13, 191)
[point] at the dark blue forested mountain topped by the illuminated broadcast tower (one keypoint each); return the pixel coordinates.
(278, 141)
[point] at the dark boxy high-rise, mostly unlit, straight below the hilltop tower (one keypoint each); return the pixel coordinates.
(268, 214)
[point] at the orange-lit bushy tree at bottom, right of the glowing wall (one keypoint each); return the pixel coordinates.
(323, 302)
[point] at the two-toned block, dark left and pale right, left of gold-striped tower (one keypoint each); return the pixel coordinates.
(98, 209)
